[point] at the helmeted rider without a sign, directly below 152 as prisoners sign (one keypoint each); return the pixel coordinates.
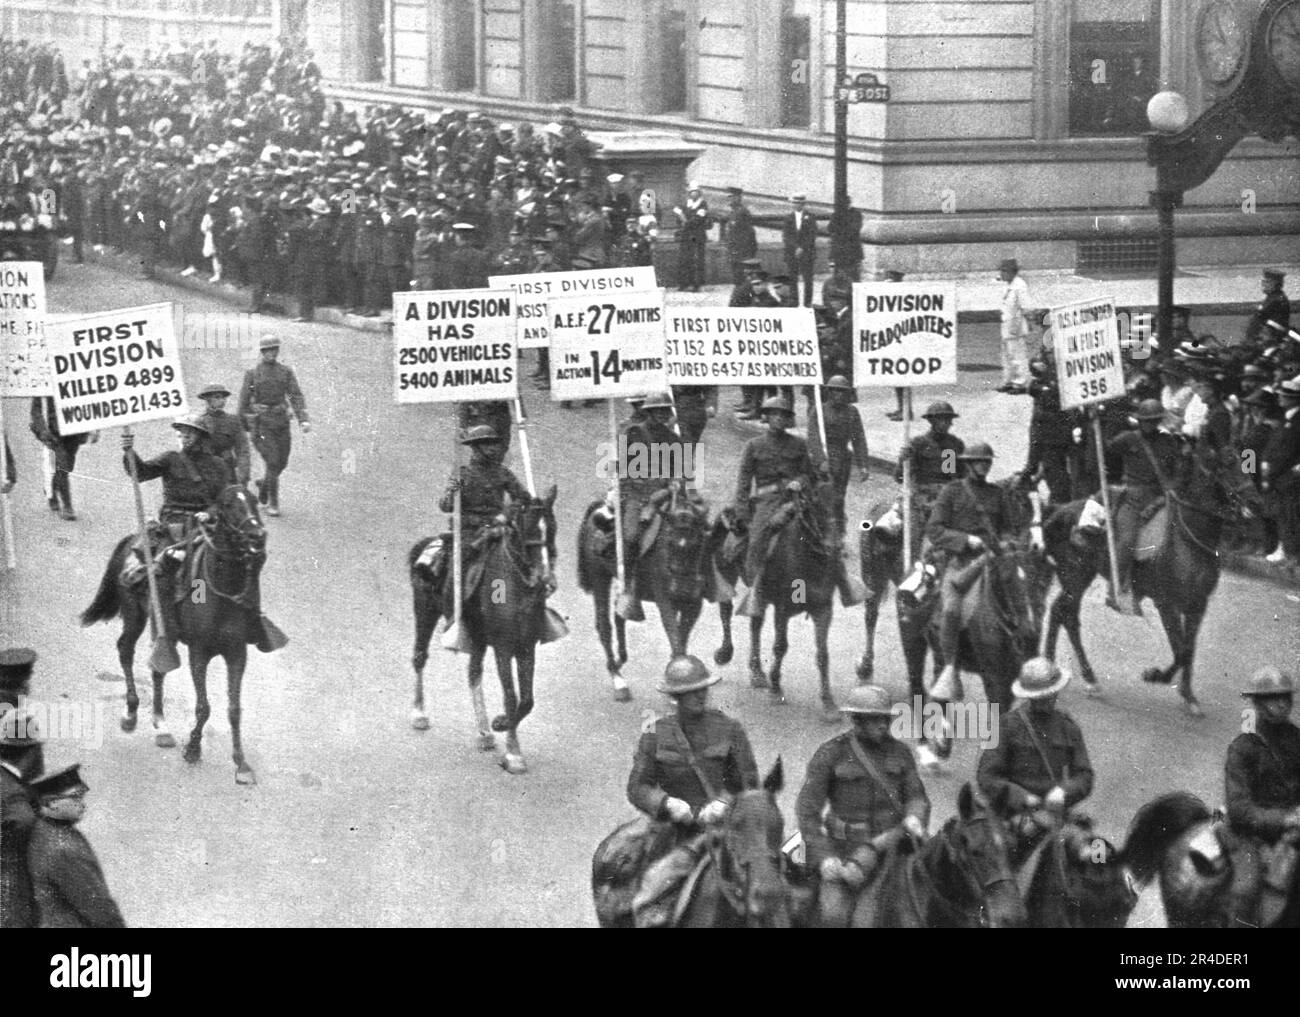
(777, 465)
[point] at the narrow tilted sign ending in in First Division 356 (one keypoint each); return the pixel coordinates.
(1086, 339)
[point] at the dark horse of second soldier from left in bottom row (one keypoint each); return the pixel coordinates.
(960, 878)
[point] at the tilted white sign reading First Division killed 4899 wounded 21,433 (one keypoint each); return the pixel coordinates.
(115, 369)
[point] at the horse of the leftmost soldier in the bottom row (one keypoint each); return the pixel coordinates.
(742, 881)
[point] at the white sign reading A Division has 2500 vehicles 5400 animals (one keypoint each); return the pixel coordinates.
(454, 347)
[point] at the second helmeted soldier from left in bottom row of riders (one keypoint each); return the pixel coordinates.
(861, 793)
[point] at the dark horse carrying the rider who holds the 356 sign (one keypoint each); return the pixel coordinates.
(1180, 579)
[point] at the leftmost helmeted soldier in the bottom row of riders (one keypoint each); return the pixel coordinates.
(687, 772)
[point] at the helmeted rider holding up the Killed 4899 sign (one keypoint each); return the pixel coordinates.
(193, 481)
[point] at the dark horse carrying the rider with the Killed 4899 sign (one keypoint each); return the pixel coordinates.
(219, 624)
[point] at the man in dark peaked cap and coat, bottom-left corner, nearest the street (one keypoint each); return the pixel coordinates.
(67, 880)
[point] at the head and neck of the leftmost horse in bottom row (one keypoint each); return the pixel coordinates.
(749, 855)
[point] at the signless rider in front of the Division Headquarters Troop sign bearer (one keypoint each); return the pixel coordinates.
(970, 520)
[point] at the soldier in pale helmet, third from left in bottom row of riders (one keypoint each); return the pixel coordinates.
(1041, 760)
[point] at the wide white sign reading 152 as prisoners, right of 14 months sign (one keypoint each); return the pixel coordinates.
(742, 347)
